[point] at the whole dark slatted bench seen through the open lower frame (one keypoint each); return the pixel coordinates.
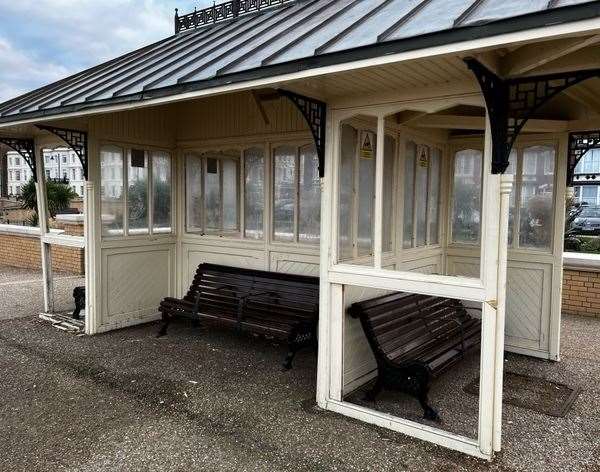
(415, 338)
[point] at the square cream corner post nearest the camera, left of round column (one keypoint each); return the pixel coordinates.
(489, 277)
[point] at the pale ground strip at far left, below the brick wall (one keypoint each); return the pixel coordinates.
(21, 292)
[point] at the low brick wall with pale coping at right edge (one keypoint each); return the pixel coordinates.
(581, 285)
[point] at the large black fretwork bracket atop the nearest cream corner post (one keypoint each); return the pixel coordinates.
(512, 102)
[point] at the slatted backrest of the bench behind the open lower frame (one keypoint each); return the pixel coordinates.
(404, 326)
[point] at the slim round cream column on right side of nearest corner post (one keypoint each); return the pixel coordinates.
(506, 184)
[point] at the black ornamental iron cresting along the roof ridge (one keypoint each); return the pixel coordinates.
(221, 12)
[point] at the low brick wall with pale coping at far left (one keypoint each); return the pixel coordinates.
(20, 247)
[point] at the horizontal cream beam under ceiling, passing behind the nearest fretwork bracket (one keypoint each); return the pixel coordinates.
(478, 123)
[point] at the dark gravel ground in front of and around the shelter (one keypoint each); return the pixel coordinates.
(216, 401)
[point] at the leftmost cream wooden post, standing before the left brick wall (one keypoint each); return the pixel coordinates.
(42, 209)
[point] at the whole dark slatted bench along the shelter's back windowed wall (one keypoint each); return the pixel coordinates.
(281, 306)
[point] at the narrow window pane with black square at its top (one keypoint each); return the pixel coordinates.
(137, 192)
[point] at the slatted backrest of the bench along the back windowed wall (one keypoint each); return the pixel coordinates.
(265, 295)
